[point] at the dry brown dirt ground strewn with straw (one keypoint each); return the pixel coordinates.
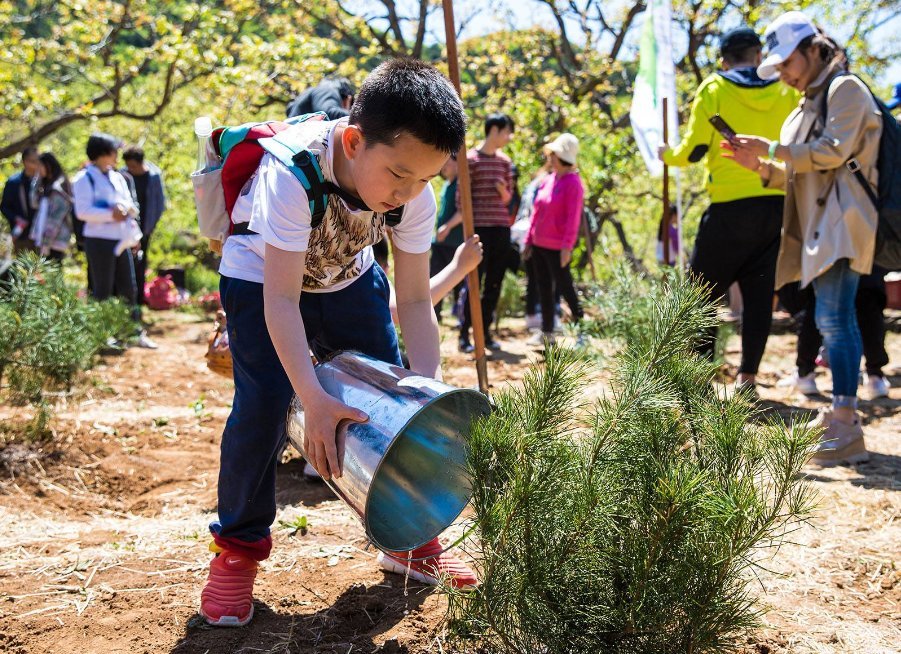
(104, 540)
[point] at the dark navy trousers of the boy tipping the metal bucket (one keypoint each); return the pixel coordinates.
(354, 318)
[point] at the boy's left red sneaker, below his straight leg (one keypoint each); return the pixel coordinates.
(227, 598)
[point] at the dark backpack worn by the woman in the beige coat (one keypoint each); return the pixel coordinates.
(887, 197)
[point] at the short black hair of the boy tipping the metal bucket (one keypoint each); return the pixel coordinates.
(407, 95)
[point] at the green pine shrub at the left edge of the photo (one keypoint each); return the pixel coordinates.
(47, 334)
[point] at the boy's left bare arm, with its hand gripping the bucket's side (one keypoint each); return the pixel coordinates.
(283, 273)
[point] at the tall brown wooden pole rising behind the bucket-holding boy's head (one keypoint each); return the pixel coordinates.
(472, 279)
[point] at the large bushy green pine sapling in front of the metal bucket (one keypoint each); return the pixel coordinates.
(635, 528)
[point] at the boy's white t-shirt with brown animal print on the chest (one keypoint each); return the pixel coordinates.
(339, 250)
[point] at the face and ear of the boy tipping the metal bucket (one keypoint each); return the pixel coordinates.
(387, 176)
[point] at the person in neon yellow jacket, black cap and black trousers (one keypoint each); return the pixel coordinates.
(738, 238)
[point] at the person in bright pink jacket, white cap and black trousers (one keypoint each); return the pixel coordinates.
(554, 230)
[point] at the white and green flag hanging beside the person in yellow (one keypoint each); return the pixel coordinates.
(656, 80)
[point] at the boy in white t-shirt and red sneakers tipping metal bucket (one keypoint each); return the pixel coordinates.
(288, 288)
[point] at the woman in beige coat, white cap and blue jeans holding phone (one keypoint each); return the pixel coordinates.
(829, 223)
